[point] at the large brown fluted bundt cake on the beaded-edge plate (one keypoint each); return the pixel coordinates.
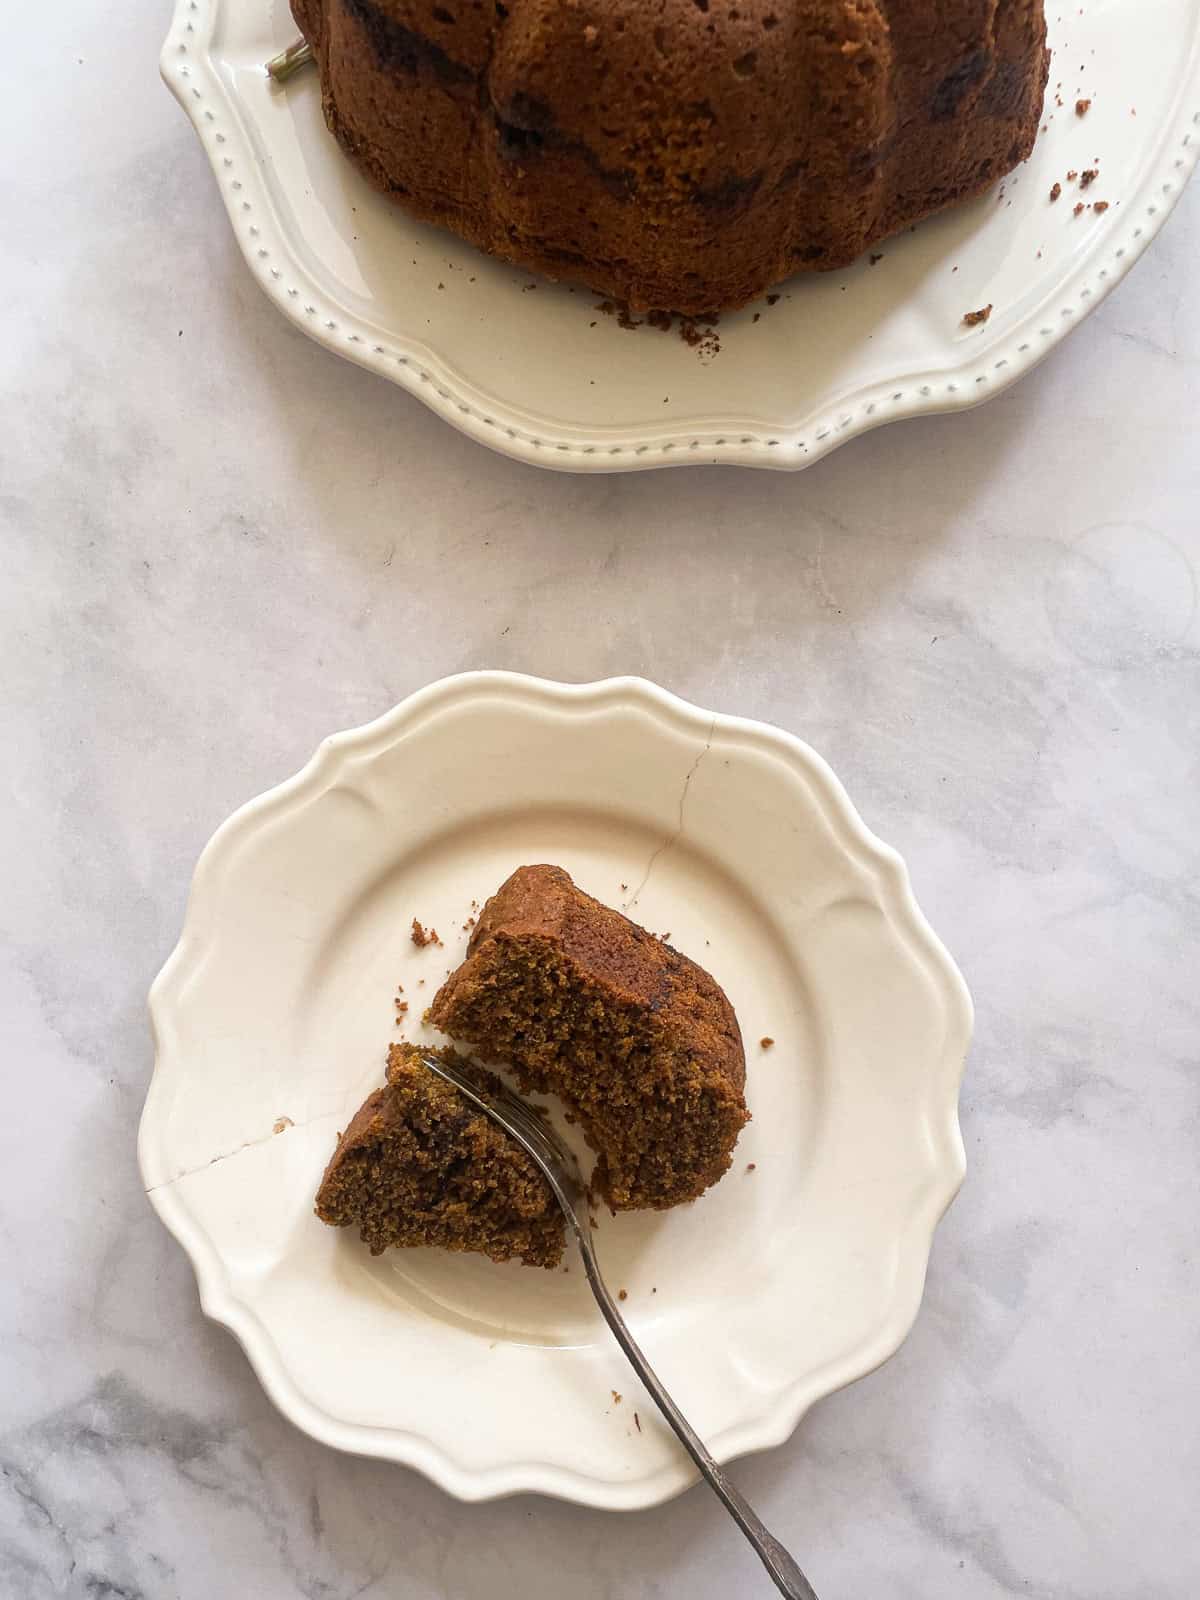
(679, 154)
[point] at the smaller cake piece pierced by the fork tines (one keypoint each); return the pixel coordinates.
(422, 1166)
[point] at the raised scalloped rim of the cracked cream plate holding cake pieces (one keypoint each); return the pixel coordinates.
(785, 1409)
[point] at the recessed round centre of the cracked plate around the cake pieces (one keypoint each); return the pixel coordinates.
(662, 1260)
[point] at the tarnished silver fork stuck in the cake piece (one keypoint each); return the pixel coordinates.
(561, 1172)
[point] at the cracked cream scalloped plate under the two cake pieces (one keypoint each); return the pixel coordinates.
(271, 1020)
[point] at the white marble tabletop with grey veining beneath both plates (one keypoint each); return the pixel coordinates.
(220, 543)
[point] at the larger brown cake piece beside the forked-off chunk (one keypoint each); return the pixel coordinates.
(636, 1039)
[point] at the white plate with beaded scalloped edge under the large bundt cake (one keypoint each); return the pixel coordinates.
(534, 370)
